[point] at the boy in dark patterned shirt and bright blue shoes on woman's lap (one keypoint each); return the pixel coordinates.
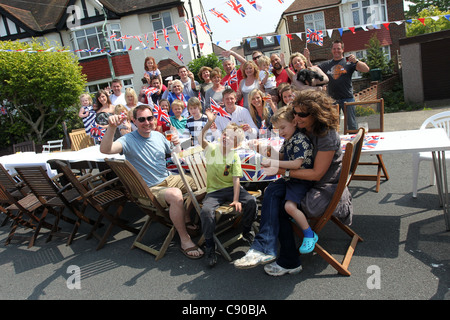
(295, 153)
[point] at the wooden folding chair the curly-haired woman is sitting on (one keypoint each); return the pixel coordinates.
(349, 165)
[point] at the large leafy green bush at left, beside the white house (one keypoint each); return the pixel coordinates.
(39, 86)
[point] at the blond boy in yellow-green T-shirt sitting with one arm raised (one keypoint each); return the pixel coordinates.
(223, 184)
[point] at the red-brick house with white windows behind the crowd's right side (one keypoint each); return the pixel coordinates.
(357, 20)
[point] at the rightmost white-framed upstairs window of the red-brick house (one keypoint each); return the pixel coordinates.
(369, 12)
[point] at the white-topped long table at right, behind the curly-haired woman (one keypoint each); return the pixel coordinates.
(433, 140)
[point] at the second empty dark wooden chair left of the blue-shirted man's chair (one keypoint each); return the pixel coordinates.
(55, 199)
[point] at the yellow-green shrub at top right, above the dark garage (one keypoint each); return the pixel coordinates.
(430, 25)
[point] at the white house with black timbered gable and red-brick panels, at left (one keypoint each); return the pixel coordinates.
(112, 38)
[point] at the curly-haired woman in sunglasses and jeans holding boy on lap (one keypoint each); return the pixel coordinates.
(318, 119)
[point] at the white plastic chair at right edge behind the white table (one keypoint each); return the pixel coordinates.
(440, 120)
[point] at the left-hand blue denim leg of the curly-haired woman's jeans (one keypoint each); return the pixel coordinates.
(266, 240)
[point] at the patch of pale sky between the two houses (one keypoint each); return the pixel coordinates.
(254, 23)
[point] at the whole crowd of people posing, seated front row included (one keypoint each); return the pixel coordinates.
(263, 94)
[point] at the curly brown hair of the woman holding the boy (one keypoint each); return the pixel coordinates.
(321, 107)
